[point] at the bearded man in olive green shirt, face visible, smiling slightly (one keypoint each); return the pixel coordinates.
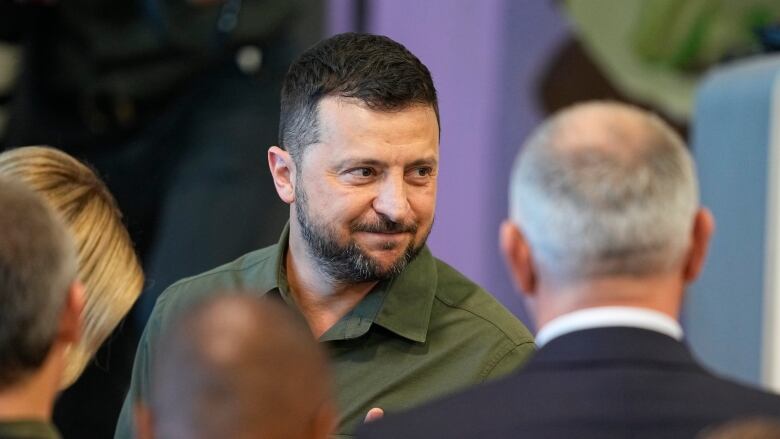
(357, 163)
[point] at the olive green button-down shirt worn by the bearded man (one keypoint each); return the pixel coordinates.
(425, 333)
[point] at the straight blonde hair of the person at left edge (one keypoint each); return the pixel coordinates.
(107, 263)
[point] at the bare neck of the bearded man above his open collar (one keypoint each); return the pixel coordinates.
(322, 301)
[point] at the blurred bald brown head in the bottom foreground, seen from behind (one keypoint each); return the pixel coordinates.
(238, 366)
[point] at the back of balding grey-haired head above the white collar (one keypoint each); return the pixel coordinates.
(604, 189)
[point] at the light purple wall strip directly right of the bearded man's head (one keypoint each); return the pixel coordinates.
(462, 58)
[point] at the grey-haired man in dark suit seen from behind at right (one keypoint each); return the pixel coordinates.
(605, 233)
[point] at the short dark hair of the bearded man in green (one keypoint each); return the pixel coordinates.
(374, 69)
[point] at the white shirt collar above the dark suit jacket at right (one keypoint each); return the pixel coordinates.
(606, 316)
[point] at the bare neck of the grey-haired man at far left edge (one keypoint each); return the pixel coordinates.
(33, 396)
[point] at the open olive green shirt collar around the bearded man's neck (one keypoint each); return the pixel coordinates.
(402, 304)
